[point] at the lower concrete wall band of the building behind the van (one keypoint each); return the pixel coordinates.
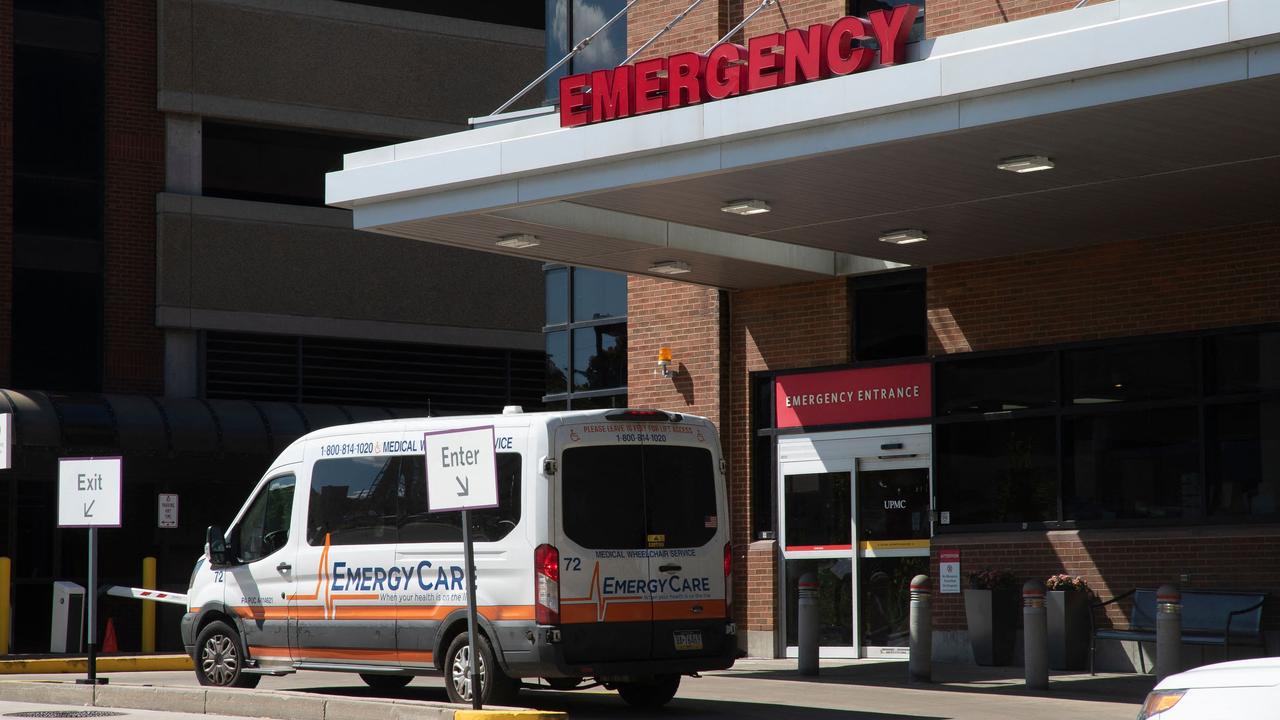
(232, 265)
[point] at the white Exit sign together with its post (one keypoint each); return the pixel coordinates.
(89, 496)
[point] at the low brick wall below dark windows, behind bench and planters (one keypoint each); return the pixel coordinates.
(1114, 562)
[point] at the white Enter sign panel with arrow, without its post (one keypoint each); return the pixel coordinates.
(461, 471)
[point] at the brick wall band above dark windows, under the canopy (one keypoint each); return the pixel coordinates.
(1227, 277)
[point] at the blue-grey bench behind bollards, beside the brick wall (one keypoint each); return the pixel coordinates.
(1210, 618)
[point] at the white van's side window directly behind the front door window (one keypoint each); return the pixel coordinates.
(354, 502)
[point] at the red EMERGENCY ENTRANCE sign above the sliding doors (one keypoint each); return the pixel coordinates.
(867, 395)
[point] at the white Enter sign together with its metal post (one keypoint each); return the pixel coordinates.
(461, 475)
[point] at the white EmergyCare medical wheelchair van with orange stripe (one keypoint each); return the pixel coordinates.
(607, 559)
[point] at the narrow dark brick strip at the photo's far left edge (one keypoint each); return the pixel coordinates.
(6, 190)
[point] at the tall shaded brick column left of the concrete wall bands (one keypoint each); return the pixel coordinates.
(135, 175)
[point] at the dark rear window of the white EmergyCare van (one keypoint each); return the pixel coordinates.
(632, 496)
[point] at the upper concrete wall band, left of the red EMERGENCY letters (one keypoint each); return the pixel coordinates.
(344, 67)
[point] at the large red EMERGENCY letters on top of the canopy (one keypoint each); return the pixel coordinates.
(767, 62)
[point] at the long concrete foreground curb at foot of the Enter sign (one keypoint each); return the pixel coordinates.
(281, 705)
